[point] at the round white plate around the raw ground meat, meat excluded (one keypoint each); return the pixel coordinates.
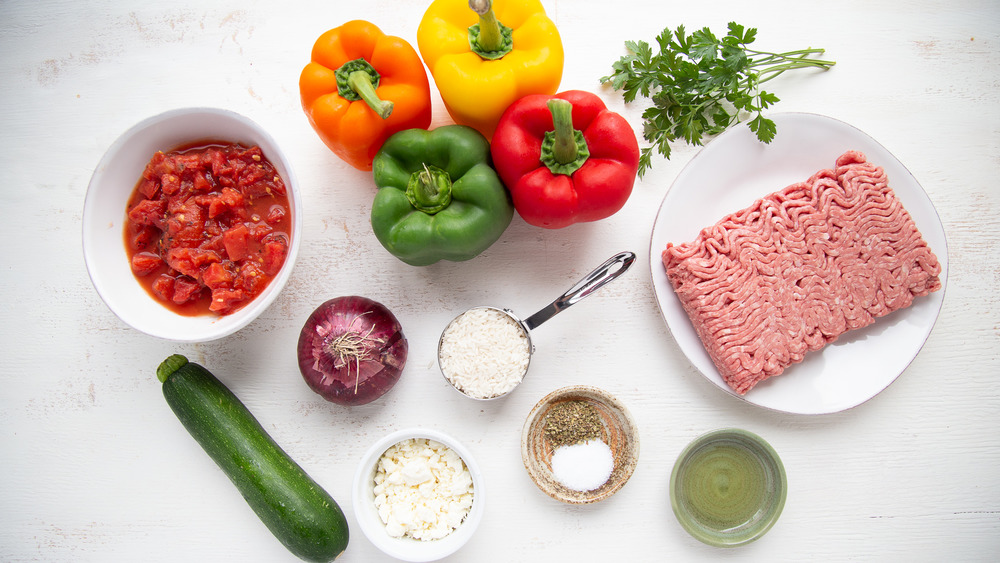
(733, 171)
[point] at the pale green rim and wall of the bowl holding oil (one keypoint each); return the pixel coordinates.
(721, 540)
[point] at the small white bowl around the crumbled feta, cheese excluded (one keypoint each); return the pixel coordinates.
(406, 548)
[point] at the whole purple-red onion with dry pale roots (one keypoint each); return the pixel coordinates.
(351, 350)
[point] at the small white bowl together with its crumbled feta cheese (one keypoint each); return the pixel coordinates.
(418, 495)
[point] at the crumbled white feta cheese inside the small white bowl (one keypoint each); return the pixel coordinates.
(422, 489)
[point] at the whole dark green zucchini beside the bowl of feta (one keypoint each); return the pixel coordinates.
(302, 515)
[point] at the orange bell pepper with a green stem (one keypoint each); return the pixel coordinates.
(360, 87)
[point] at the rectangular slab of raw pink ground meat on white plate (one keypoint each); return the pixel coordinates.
(798, 268)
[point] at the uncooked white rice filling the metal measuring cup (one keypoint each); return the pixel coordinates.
(484, 353)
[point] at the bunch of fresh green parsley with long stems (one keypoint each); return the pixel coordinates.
(700, 84)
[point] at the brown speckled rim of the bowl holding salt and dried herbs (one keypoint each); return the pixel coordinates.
(626, 469)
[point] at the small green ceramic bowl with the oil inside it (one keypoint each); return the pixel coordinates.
(728, 487)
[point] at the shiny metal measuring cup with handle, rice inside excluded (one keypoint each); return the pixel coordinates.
(606, 272)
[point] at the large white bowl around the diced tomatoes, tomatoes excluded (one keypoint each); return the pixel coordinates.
(104, 214)
